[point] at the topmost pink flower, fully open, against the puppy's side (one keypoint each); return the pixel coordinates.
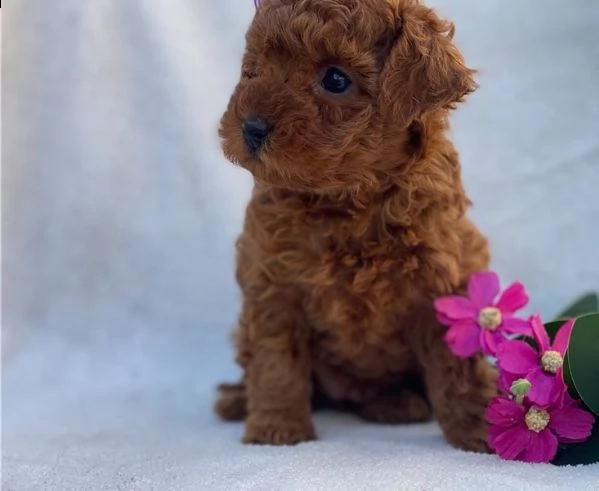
(478, 322)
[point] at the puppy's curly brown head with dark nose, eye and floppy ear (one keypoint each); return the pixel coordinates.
(332, 92)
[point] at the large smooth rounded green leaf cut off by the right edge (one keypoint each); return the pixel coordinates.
(583, 359)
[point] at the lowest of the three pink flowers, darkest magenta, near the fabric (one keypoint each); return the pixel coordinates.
(530, 433)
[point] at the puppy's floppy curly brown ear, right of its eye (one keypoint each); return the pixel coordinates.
(423, 70)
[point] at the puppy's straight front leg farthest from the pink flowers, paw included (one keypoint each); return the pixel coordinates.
(278, 374)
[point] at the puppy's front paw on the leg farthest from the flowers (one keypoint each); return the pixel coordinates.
(269, 431)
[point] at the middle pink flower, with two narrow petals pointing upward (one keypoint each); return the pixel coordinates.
(543, 369)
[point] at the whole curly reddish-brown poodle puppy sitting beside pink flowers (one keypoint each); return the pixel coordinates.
(356, 223)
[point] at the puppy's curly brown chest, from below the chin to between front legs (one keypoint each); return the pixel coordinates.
(356, 293)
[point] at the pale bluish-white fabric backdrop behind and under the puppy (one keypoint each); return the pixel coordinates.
(119, 215)
